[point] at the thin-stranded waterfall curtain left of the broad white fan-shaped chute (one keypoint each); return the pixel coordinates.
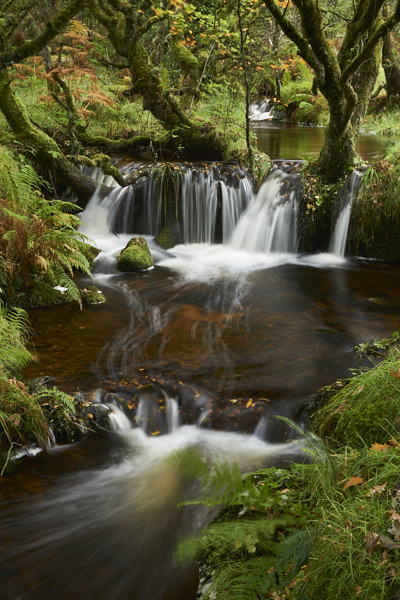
(204, 196)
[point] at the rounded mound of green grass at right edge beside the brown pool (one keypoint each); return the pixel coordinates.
(366, 410)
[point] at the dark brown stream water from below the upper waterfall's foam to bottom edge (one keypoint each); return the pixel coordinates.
(99, 519)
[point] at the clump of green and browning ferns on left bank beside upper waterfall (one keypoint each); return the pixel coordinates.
(38, 237)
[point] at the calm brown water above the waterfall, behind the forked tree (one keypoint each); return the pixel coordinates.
(281, 140)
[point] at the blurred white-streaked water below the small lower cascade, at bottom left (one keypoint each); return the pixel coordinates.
(109, 527)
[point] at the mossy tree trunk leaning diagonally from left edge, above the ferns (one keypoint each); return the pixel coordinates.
(45, 151)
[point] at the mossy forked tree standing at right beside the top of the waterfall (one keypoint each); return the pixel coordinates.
(345, 78)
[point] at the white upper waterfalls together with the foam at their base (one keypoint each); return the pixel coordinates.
(258, 231)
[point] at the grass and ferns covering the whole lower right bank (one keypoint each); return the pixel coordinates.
(328, 530)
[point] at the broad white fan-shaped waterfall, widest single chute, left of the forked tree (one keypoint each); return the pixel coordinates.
(270, 222)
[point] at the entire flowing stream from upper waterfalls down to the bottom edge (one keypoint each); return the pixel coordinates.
(214, 343)
